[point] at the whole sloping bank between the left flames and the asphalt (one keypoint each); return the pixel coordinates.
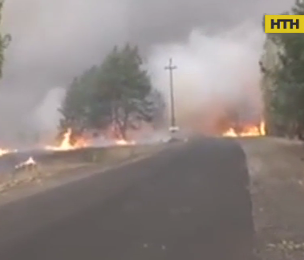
(55, 168)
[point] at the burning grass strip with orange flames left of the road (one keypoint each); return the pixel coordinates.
(69, 154)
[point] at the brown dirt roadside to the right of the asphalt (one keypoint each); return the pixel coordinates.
(277, 188)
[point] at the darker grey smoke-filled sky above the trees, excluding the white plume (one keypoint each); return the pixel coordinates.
(55, 40)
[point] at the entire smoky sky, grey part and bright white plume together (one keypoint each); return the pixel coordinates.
(53, 41)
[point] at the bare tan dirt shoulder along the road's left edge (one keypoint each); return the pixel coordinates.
(53, 173)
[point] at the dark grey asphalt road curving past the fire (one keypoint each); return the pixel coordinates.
(185, 203)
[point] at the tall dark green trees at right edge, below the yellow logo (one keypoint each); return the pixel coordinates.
(285, 94)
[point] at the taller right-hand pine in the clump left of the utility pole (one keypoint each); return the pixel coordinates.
(127, 86)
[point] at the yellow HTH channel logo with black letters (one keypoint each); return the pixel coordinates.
(284, 23)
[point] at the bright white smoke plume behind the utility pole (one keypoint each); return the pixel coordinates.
(211, 68)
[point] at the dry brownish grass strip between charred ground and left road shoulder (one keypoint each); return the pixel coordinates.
(68, 163)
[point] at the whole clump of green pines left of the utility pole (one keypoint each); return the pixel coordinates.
(116, 94)
